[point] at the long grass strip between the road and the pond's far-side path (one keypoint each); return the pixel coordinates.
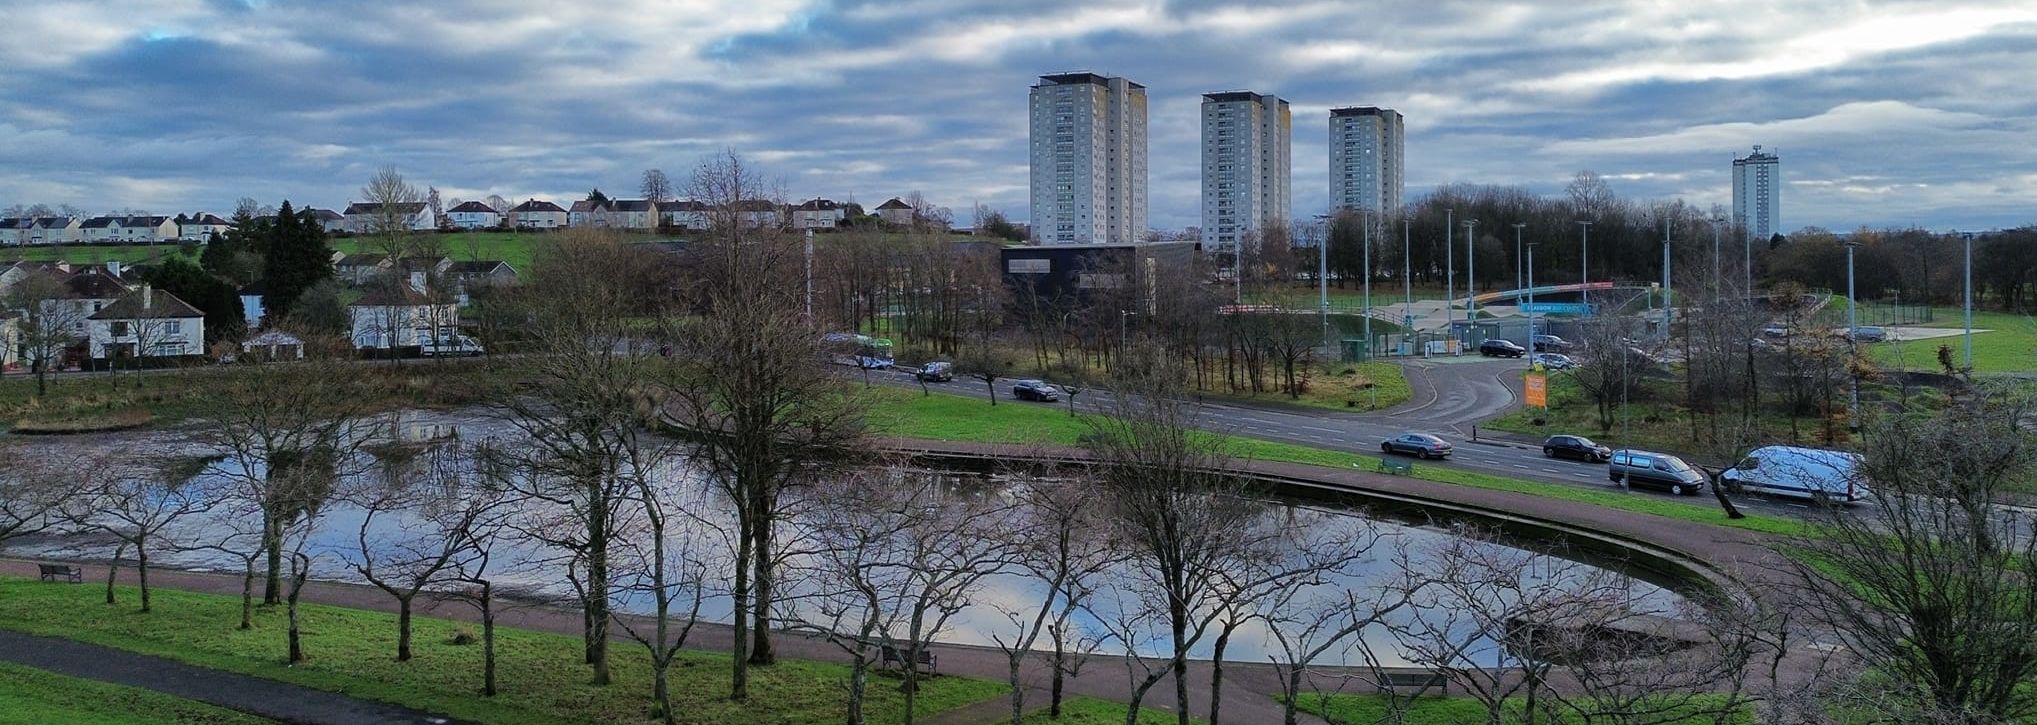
(907, 414)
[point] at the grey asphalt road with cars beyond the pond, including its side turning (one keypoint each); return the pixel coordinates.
(1460, 394)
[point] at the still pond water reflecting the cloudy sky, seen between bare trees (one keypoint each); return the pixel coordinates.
(1492, 575)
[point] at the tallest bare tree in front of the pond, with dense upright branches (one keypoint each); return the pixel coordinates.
(755, 390)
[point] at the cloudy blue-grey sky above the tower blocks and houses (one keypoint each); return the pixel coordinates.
(1883, 113)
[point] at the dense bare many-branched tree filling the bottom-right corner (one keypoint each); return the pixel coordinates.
(1930, 585)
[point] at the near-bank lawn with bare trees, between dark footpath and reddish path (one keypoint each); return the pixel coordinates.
(543, 679)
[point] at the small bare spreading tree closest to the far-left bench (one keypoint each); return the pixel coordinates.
(142, 508)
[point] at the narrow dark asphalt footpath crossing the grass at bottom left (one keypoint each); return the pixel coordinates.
(233, 691)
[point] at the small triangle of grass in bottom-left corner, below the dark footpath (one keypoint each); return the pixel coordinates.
(38, 698)
